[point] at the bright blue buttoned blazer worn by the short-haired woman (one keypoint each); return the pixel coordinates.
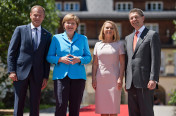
(61, 46)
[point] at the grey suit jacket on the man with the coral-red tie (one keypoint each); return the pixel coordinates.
(143, 64)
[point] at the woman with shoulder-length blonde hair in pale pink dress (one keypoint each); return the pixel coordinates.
(108, 70)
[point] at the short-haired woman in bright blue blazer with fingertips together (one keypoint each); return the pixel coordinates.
(69, 51)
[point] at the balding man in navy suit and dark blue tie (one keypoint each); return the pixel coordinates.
(27, 65)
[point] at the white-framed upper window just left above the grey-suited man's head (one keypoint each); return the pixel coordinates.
(123, 6)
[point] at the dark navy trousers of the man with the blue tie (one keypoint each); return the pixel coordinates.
(20, 90)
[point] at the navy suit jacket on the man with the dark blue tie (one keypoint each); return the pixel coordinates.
(22, 57)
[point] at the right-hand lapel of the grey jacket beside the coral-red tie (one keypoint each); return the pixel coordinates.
(141, 39)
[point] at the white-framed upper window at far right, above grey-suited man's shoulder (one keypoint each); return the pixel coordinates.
(154, 6)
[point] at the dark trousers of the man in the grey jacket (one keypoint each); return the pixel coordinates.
(140, 101)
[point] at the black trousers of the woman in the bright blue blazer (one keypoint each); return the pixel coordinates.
(68, 91)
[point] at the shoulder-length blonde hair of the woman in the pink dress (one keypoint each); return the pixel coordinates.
(116, 36)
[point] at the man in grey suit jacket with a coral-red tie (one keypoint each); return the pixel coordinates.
(142, 65)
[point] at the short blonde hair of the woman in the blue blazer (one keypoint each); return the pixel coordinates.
(70, 16)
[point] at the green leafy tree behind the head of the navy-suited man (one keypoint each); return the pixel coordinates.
(17, 12)
